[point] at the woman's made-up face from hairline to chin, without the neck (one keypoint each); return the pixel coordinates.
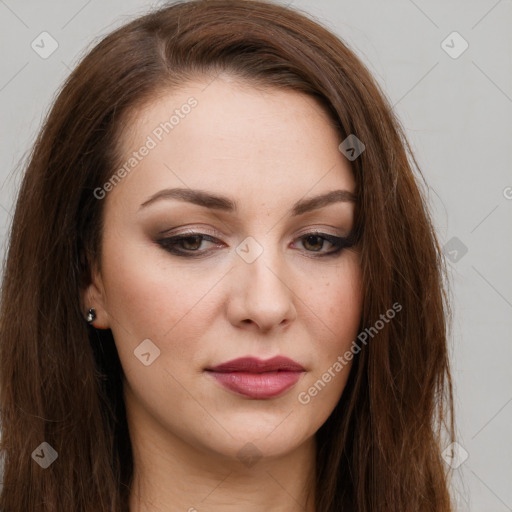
(250, 284)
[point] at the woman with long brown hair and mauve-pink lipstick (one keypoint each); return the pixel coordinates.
(223, 289)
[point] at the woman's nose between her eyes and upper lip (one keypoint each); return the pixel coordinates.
(261, 297)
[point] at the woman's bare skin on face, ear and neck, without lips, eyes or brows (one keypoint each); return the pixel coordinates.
(265, 149)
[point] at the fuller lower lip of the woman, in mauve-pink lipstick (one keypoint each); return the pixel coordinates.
(258, 385)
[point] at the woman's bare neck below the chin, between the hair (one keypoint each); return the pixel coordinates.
(171, 475)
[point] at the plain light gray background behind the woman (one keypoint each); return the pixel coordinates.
(457, 115)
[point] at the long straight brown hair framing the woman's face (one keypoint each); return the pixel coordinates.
(60, 379)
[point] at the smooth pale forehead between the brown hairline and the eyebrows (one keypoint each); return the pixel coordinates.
(233, 138)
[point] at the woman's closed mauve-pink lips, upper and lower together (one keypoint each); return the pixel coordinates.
(258, 379)
